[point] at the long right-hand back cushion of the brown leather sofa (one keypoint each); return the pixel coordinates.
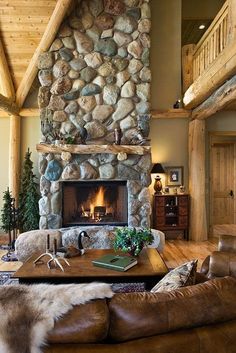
(135, 315)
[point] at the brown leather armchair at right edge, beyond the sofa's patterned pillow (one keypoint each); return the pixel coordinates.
(222, 262)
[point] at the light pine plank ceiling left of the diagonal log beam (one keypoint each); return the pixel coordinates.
(22, 24)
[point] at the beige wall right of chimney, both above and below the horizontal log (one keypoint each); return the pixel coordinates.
(169, 138)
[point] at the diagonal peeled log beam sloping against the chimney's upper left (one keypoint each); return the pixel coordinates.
(52, 28)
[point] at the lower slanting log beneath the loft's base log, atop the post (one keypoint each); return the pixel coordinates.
(217, 101)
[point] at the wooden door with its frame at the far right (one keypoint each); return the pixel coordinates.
(222, 205)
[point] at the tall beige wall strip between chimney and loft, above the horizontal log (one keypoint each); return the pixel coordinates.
(165, 53)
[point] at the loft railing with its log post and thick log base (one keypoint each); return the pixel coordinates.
(212, 61)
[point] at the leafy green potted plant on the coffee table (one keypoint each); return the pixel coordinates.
(132, 240)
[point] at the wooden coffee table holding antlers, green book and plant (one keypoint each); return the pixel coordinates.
(150, 269)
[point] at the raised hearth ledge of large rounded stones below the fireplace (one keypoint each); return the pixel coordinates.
(100, 238)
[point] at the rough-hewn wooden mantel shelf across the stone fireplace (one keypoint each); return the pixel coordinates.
(87, 149)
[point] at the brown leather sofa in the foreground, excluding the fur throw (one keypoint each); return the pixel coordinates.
(195, 319)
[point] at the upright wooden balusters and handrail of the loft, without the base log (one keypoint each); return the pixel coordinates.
(213, 42)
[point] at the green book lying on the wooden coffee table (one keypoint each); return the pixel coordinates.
(115, 262)
